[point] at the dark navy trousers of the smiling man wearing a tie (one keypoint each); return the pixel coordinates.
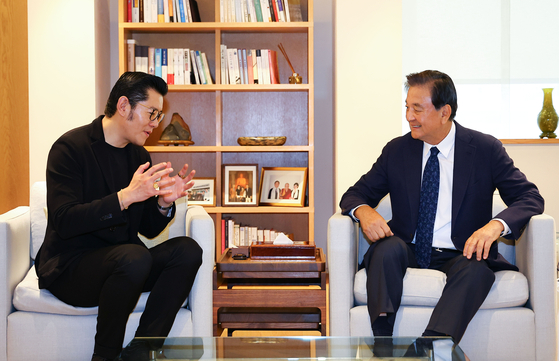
(468, 283)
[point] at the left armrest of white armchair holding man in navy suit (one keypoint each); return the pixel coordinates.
(342, 265)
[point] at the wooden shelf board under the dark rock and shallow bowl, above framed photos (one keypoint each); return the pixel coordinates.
(227, 149)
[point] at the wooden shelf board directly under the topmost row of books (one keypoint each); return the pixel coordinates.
(210, 27)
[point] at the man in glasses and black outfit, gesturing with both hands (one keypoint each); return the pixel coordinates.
(102, 192)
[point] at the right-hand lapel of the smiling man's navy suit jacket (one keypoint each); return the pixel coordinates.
(464, 155)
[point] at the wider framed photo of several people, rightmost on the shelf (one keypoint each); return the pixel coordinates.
(283, 186)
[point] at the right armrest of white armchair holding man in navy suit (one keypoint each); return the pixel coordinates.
(537, 259)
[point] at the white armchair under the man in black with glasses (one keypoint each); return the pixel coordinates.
(39, 326)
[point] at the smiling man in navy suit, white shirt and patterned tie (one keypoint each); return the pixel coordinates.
(468, 166)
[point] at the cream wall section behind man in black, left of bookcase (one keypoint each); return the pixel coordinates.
(63, 72)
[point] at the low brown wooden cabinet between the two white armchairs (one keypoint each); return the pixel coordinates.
(270, 294)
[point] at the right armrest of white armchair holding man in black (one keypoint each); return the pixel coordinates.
(200, 226)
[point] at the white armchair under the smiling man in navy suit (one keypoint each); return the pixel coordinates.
(517, 321)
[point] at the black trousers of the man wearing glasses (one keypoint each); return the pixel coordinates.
(113, 279)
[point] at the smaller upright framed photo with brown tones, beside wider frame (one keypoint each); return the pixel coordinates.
(240, 185)
